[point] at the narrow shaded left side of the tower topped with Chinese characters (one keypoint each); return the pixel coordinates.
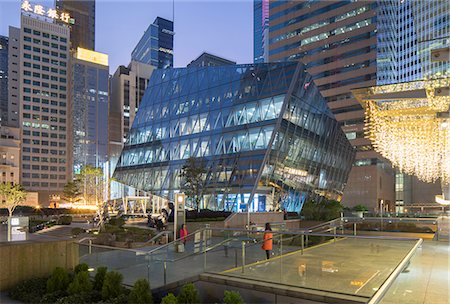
(14, 77)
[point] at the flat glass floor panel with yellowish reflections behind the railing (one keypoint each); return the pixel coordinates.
(347, 266)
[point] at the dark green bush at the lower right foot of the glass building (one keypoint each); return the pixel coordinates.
(323, 211)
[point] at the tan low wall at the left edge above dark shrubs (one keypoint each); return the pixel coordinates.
(25, 260)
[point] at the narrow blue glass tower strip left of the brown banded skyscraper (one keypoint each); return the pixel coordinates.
(260, 31)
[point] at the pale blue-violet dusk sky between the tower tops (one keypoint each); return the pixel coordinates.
(223, 28)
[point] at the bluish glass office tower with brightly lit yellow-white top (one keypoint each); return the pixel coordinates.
(89, 109)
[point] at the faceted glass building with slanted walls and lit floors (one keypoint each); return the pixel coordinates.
(263, 132)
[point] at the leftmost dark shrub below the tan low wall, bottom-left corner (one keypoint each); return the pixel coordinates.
(29, 291)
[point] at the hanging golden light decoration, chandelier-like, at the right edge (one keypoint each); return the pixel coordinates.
(408, 124)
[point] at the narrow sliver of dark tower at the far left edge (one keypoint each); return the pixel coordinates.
(3, 80)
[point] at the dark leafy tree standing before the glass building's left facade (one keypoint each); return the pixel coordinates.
(192, 175)
